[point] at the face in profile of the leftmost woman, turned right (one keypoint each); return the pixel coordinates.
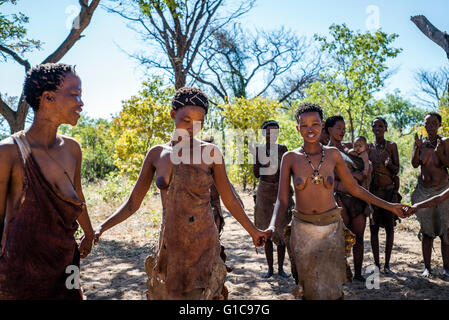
(63, 105)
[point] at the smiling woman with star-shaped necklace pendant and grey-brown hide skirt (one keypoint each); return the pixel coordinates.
(317, 237)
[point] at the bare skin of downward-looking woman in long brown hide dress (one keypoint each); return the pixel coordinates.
(158, 162)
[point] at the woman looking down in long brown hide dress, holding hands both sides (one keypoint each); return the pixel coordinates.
(188, 263)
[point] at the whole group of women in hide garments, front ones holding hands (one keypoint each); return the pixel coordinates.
(336, 187)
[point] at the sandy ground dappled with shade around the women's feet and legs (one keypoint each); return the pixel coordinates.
(115, 268)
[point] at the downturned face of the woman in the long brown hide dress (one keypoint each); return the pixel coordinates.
(188, 119)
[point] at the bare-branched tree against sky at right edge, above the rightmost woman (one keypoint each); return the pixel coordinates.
(433, 85)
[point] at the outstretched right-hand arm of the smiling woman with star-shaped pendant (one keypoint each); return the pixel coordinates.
(359, 192)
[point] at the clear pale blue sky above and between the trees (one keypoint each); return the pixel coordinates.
(109, 76)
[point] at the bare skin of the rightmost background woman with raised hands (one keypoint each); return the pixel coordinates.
(433, 162)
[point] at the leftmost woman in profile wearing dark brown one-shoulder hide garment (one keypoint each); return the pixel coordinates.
(41, 199)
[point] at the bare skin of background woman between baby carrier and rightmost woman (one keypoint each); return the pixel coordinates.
(389, 166)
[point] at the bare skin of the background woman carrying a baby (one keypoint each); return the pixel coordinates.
(356, 225)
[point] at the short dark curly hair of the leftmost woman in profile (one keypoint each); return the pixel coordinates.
(44, 77)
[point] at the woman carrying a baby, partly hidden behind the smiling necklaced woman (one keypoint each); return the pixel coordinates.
(353, 209)
